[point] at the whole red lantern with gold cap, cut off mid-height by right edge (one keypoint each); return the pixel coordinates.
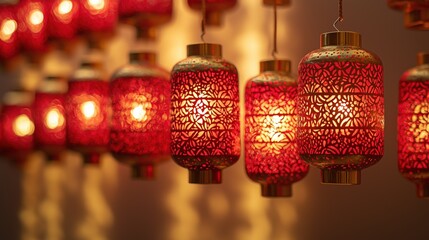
(413, 137)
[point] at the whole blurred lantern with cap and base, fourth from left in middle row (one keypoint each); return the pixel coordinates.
(140, 131)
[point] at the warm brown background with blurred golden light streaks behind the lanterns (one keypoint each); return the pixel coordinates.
(66, 202)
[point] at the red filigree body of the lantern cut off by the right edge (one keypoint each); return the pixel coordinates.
(413, 129)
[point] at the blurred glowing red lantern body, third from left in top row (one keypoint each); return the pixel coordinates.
(63, 18)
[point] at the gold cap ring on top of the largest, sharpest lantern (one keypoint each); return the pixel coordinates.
(340, 38)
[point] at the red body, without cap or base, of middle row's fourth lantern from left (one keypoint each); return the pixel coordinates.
(140, 118)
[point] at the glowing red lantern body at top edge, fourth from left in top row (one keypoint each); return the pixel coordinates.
(98, 15)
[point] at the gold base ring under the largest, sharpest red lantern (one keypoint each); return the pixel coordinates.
(341, 177)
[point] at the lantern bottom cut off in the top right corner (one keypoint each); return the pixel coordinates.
(416, 12)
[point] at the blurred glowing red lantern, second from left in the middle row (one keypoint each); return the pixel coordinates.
(49, 117)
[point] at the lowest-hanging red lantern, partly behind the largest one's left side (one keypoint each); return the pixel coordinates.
(271, 151)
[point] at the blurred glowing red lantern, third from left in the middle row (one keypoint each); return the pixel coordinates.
(87, 112)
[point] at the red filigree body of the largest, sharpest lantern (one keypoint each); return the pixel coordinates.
(341, 114)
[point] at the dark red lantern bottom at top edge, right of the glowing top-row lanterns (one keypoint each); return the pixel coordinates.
(146, 15)
